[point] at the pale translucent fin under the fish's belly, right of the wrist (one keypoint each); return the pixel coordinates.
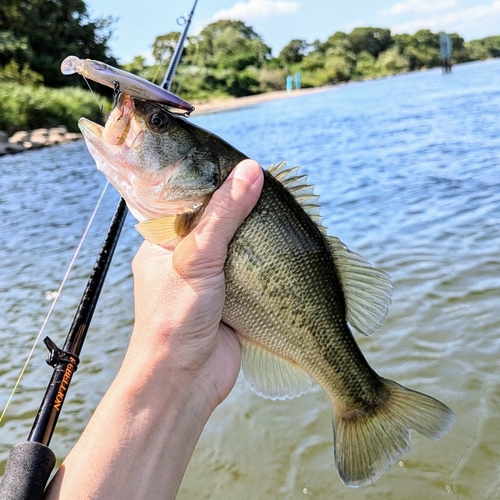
(271, 376)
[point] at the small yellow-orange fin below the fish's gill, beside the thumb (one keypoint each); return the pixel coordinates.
(164, 229)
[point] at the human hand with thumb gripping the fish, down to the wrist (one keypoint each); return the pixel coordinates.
(179, 295)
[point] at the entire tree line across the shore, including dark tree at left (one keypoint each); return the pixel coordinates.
(227, 58)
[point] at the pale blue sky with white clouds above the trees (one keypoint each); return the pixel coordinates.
(279, 21)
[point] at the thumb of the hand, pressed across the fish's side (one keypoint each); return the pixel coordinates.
(225, 212)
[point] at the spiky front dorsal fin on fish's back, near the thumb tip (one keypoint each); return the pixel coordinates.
(301, 190)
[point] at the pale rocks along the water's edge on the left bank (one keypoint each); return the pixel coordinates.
(34, 139)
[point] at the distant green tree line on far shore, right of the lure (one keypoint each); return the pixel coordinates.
(230, 58)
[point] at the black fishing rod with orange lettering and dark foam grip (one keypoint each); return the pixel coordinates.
(31, 462)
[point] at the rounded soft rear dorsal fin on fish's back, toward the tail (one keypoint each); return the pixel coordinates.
(367, 290)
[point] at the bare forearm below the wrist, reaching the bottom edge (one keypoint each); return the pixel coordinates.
(140, 439)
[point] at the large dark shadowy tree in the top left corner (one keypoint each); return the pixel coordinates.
(46, 31)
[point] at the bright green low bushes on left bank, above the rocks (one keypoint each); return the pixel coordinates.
(25, 107)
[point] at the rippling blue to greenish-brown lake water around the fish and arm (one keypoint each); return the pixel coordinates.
(408, 170)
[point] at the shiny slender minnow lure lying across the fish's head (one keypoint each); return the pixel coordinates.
(125, 82)
